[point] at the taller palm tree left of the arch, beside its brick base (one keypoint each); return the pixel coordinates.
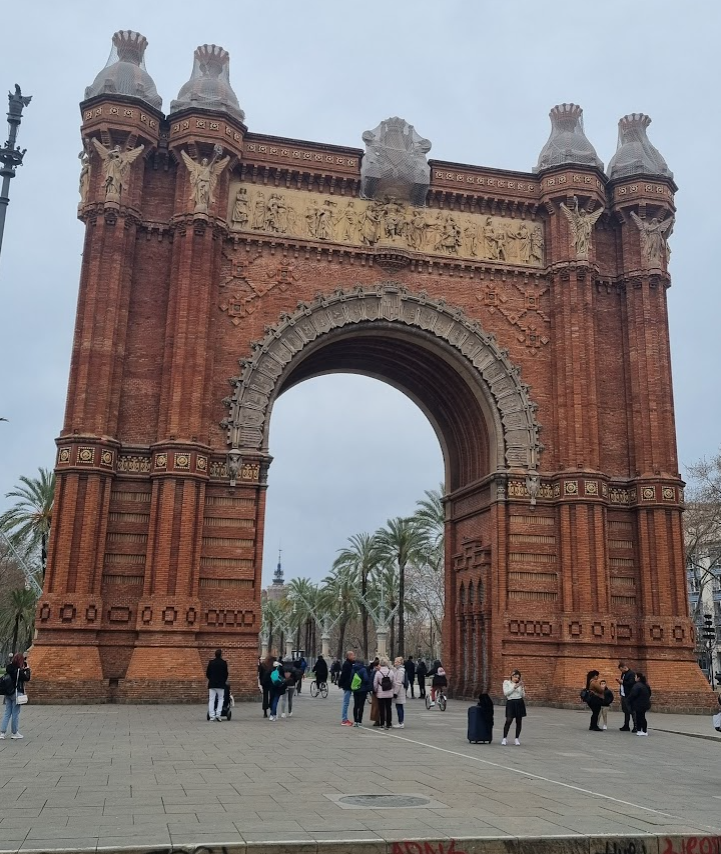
(27, 523)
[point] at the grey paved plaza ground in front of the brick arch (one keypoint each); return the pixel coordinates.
(112, 778)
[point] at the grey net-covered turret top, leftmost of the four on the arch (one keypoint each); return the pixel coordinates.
(124, 72)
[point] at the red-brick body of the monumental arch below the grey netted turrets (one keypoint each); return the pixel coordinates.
(566, 558)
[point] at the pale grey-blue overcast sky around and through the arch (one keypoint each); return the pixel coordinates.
(477, 78)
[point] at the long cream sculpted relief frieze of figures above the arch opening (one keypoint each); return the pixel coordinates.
(386, 222)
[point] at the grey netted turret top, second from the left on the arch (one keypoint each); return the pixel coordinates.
(209, 85)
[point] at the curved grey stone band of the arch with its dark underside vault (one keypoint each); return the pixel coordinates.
(502, 415)
